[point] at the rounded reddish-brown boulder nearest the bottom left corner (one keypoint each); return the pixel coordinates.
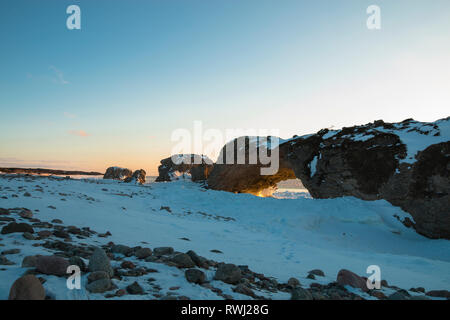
(27, 287)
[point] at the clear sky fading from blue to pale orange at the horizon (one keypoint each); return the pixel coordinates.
(112, 92)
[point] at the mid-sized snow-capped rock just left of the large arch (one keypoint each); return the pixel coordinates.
(191, 166)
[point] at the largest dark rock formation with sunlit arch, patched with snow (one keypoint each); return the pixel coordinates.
(406, 163)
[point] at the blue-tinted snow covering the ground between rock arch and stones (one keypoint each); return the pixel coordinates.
(279, 237)
